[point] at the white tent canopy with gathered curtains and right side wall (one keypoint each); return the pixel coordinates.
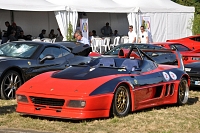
(168, 19)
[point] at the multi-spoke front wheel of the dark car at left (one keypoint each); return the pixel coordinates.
(9, 84)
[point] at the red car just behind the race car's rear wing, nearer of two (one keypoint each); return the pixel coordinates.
(188, 55)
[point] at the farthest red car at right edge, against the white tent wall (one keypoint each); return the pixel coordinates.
(193, 42)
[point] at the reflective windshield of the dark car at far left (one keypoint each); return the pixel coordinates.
(20, 50)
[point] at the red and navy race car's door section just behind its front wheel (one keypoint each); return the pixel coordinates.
(148, 85)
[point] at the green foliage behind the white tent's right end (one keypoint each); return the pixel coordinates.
(196, 20)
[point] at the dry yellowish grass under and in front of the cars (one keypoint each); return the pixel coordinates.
(165, 119)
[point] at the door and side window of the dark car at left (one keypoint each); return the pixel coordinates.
(59, 62)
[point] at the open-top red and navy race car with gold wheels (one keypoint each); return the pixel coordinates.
(104, 87)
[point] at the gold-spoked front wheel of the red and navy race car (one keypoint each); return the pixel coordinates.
(121, 102)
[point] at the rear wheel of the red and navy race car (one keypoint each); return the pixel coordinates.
(183, 92)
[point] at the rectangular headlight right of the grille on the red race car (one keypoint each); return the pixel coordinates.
(76, 103)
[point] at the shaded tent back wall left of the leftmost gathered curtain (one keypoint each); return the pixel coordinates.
(33, 22)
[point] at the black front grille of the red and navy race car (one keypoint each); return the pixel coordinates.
(47, 101)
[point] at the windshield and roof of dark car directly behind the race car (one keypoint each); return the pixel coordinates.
(116, 49)
